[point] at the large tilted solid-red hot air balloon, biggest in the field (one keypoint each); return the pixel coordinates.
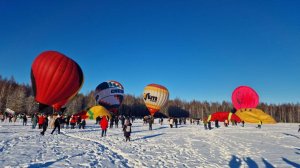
(55, 77)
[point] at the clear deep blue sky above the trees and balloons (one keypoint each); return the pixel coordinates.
(201, 49)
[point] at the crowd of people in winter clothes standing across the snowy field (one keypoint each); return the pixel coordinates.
(57, 122)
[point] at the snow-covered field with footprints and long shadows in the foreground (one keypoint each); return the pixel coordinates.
(187, 146)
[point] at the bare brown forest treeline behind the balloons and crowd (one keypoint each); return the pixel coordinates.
(19, 98)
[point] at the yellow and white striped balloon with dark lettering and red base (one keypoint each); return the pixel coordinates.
(155, 96)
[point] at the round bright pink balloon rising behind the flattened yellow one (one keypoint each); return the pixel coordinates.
(244, 97)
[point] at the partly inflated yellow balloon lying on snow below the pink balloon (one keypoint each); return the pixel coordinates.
(253, 115)
